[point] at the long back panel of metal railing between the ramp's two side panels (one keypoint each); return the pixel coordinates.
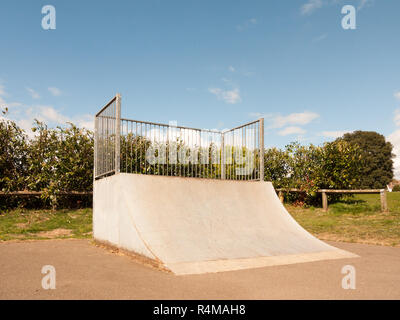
(161, 149)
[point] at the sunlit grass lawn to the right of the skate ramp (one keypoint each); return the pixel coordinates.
(355, 219)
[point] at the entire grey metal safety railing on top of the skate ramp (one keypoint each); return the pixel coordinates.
(141, 147)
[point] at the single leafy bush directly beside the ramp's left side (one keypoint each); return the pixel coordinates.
(60, 160)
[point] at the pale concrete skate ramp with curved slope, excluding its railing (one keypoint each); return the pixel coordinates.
(200, 225)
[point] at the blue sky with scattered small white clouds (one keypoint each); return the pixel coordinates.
(207, 64)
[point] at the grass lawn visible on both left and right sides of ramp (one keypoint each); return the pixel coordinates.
(356, 219)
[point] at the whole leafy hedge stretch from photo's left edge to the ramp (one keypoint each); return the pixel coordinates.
(53, 161)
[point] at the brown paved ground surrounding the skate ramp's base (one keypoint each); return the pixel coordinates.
(85, 271)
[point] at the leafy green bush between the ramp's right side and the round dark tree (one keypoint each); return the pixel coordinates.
(335, 165)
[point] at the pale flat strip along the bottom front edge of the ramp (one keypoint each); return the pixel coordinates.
(185, 268)
